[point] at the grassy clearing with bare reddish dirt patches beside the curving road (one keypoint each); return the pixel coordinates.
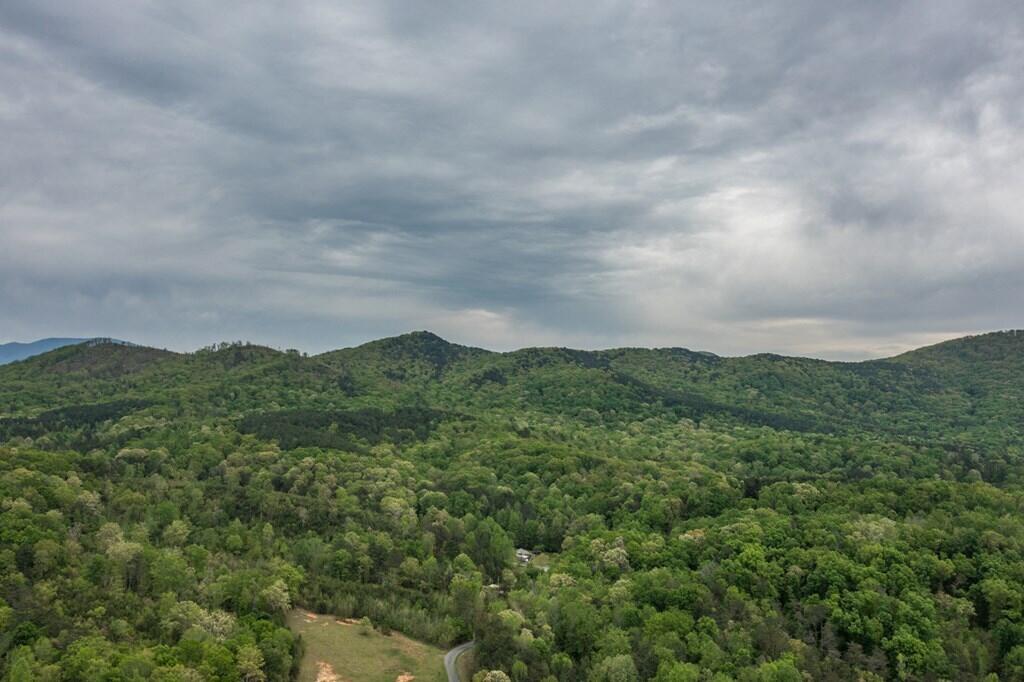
(348, 652)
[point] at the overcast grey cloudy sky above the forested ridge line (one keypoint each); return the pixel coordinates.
(841, 180)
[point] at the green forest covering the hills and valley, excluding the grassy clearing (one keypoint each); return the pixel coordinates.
(701, 518)
